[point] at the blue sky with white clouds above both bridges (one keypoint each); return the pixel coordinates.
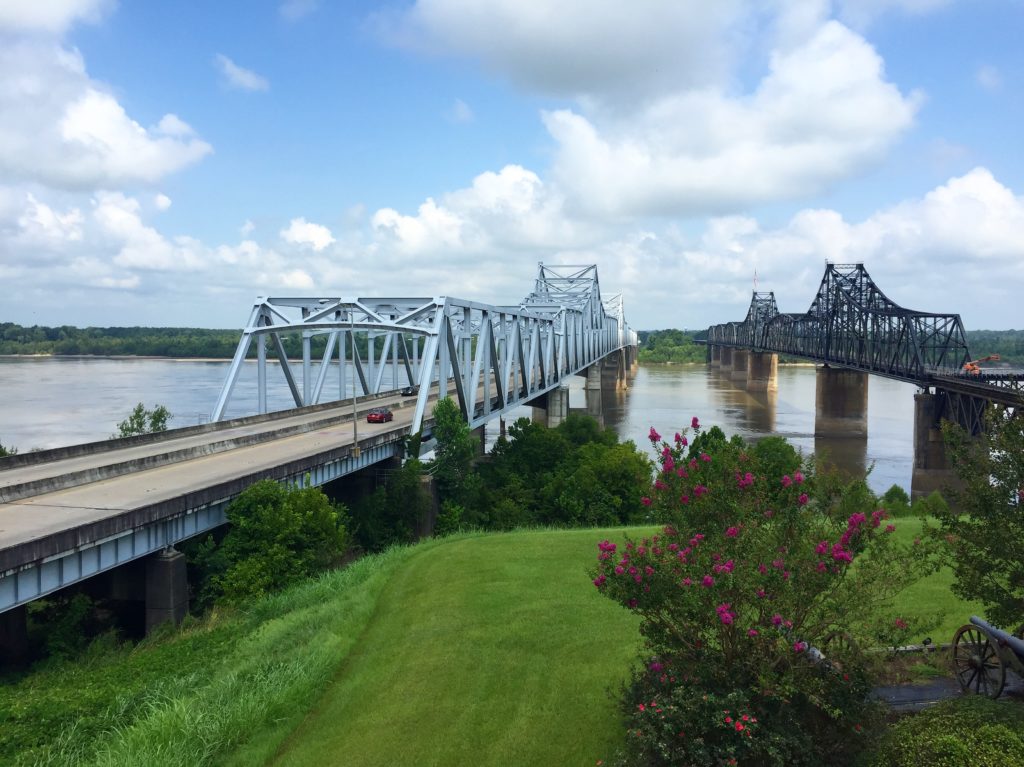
(164, 164)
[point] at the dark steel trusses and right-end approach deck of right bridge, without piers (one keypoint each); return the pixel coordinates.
(852, 324)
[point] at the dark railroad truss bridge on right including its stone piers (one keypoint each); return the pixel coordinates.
(852, 330)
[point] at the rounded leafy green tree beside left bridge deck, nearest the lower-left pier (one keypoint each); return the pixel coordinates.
(279, 534)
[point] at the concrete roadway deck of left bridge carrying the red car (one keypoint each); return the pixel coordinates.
(50, 523)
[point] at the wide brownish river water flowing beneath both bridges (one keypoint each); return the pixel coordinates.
(54, 402)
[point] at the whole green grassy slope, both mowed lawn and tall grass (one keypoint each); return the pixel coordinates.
(477, 650)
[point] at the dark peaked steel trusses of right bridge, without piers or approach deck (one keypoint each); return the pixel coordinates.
(852, 324)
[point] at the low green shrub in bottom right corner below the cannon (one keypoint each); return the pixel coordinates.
(970, 731)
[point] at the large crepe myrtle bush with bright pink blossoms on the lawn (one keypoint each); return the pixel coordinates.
(754, 598)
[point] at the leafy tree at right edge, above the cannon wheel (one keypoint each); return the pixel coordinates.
(985, 526)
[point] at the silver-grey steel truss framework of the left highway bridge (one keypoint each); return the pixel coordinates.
(494, 358)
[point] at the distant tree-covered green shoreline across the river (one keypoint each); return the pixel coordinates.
(656, 347)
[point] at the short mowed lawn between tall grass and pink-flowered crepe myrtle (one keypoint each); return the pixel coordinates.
(492, 651)
